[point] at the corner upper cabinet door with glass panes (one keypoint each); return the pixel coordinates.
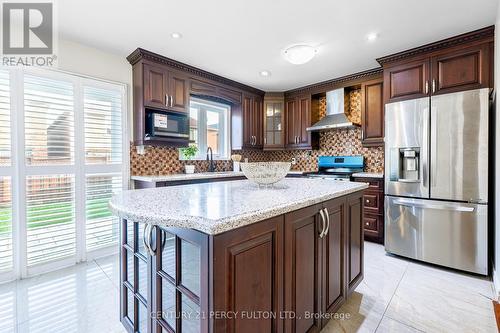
(274, 122)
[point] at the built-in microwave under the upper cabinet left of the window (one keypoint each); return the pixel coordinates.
(167, 124)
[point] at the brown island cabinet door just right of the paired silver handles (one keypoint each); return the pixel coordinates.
(333, 267)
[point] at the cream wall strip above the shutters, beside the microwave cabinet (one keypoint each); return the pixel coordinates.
(80, 59)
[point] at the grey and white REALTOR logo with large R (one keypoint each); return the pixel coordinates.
(28, 32)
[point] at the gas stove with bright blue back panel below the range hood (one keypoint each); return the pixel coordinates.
(338, 167)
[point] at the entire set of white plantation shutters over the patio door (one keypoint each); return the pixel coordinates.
(62, 145)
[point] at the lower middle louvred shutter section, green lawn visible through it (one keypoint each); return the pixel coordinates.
(50, 205)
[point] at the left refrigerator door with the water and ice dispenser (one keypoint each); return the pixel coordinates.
(407, 148)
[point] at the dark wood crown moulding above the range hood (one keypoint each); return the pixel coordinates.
(340, 82)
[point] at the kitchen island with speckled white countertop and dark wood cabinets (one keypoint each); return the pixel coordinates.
(233, 257)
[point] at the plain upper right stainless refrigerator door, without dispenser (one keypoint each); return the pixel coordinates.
(459, 146)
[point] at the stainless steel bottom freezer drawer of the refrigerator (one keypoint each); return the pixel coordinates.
(444, 233)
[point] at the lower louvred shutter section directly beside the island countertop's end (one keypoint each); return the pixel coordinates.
(102, 226)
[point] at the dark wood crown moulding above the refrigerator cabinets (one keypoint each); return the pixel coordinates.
(476, 35)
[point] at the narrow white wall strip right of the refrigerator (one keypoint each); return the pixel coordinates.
(496, 272)
